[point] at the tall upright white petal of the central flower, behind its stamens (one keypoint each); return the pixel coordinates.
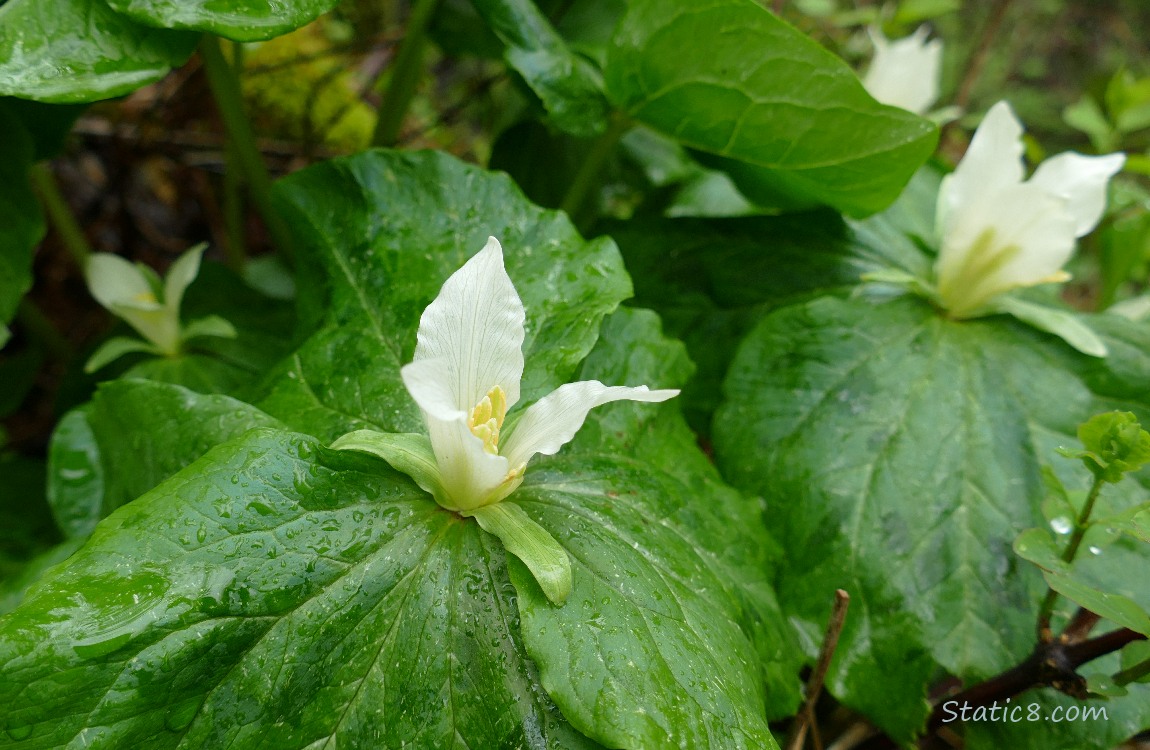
(474, 332)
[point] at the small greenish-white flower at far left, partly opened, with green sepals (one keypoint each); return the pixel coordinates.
(131, 293)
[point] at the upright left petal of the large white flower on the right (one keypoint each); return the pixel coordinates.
(993, 163)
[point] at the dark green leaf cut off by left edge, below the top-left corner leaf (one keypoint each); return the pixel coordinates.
(20, 213)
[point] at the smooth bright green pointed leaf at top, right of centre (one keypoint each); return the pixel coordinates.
(671, 67)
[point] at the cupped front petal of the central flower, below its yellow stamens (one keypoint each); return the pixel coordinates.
(471, 477)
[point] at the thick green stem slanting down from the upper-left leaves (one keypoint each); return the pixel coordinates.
(226, 90)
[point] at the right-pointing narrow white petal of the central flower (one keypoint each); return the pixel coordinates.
(553, 422)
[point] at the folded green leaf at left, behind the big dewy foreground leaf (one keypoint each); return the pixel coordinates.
(134, 435)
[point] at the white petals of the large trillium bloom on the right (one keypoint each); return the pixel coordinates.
(1000, 233)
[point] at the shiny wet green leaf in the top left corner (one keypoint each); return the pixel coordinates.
(70, 51)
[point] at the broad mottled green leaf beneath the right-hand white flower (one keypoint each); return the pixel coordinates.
(900, 456)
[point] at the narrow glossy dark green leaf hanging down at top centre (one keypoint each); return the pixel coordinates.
(570, 88)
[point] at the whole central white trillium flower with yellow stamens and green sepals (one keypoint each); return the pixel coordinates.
(466, 377)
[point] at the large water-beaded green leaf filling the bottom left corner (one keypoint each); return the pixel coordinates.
(277, 595)
